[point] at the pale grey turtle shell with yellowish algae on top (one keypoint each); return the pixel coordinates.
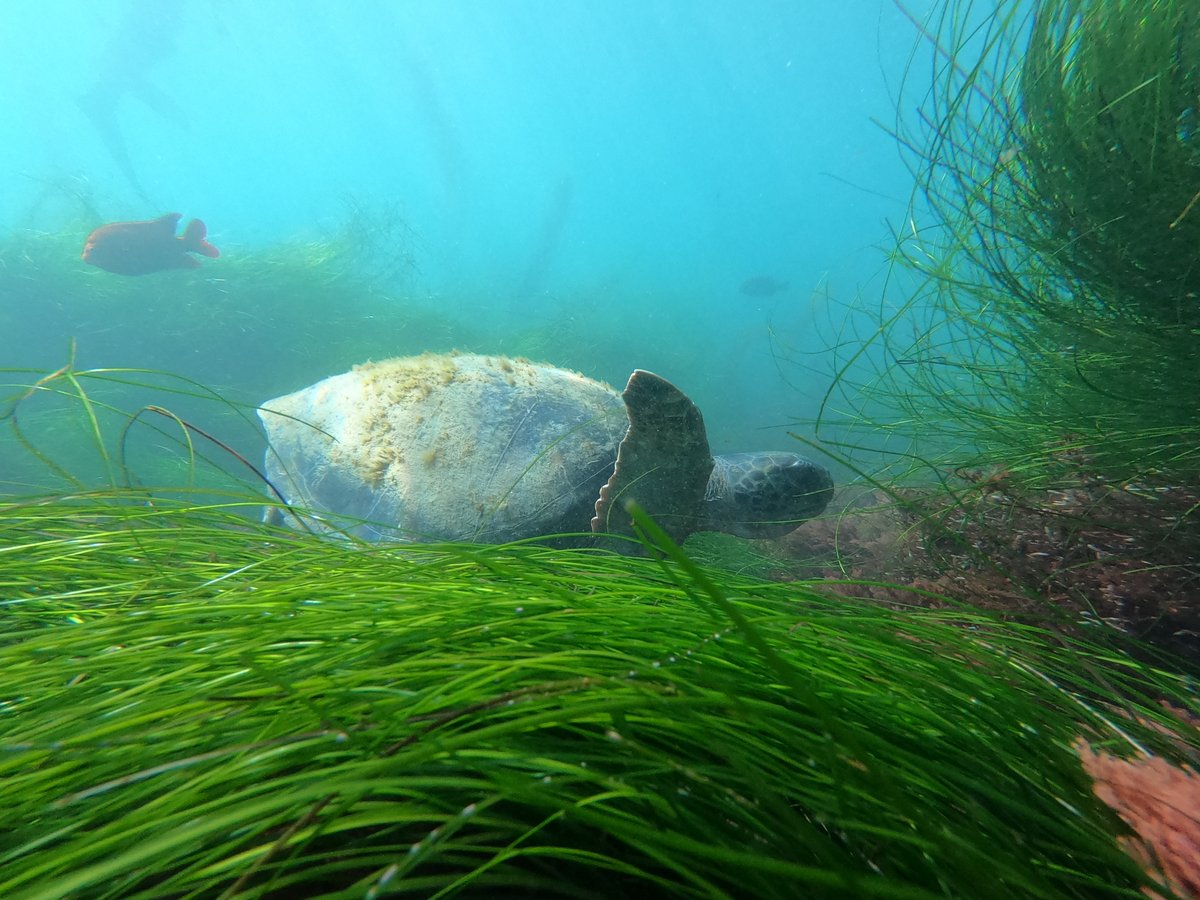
(451, 447)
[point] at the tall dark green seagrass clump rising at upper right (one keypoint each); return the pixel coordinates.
(1054, 237)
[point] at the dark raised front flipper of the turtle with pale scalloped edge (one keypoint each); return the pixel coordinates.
(663, 463)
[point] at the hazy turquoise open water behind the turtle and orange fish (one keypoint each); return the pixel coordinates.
(592, 184)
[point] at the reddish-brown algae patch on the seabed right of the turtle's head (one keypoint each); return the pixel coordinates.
(1124, 554)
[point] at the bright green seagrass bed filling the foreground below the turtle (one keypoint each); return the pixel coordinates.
(193, 705)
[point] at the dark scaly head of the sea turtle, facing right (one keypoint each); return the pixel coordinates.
(764, 495)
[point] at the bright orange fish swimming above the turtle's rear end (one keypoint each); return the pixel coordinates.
(145, 248)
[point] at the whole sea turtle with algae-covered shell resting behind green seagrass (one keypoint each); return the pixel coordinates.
(490, 449)
